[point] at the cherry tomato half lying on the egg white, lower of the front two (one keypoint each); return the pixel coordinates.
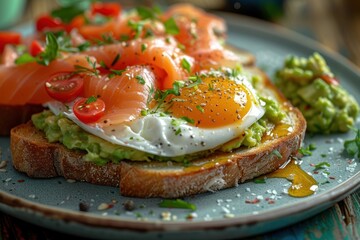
(89, 110)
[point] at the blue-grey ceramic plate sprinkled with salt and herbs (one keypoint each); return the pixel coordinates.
(54, 203)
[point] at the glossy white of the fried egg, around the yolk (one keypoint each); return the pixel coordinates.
(157, 134)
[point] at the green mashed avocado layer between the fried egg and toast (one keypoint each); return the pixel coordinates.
(58, 128)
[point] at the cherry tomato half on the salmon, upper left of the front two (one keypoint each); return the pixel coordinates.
(65, 87)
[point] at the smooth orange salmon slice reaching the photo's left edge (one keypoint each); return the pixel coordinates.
(24, 84)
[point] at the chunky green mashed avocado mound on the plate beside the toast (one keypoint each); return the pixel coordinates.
(310, 85)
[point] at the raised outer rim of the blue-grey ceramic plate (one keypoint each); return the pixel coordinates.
(332, 195)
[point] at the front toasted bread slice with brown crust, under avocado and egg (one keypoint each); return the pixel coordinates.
(35, 156)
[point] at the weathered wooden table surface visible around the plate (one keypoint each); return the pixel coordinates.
(335, 24)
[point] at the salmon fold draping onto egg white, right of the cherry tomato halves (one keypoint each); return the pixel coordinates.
(124, 95)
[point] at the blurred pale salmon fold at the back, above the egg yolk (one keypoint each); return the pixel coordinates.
(203, 35)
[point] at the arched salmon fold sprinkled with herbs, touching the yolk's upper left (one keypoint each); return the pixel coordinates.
(163, 55)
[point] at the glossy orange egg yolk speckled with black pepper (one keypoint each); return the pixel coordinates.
(214, 102)
